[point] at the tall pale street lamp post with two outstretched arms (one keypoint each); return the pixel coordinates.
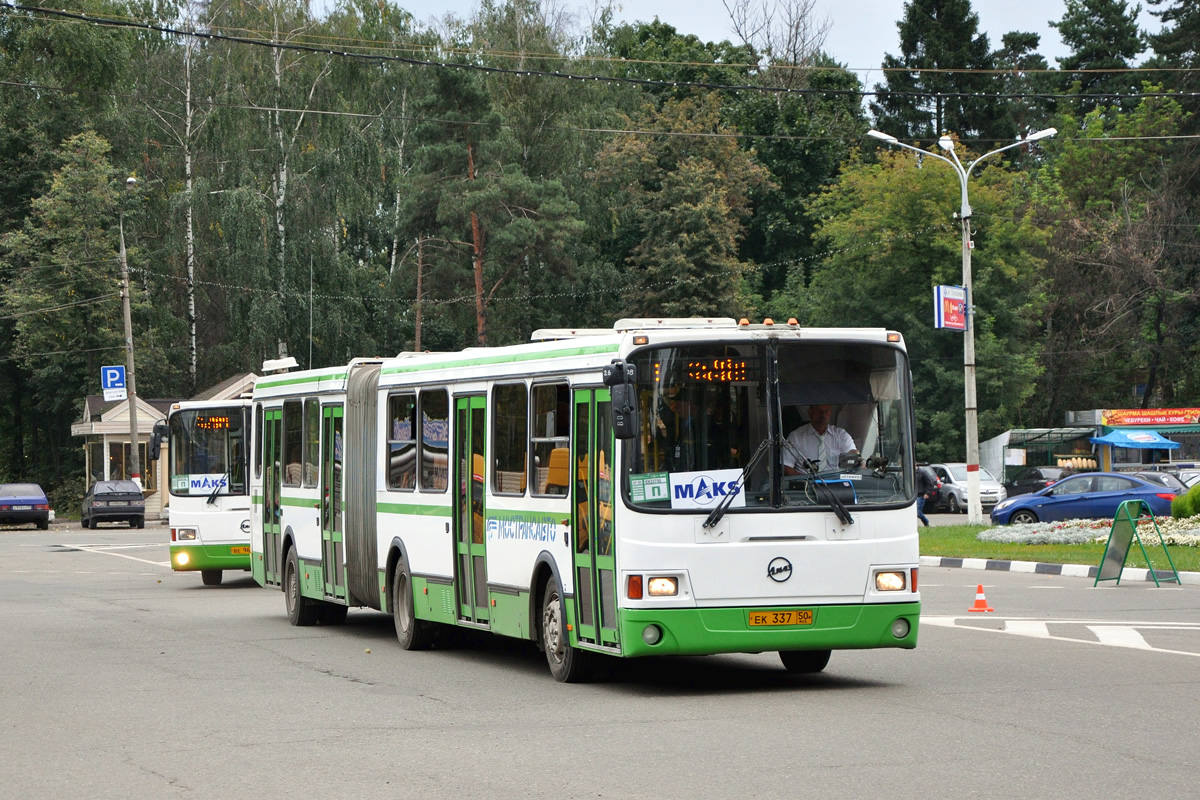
(975, 508)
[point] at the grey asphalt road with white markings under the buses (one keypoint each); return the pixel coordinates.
(127, 681)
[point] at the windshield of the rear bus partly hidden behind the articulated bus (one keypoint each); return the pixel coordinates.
(208, 453)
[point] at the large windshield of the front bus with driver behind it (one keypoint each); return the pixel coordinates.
(829, 417)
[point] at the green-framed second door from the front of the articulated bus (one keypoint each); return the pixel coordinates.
(471, 552)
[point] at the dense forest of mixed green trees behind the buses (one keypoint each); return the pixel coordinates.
(359, 184)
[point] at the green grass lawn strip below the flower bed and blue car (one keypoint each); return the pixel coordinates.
(959, 542)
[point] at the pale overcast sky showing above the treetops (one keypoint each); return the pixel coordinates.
(862, 32)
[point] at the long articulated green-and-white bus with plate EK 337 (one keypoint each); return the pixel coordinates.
(626, 492)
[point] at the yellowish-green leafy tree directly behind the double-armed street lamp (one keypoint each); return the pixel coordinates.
(890, 238)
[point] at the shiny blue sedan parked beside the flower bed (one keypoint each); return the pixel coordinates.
(1090, 496)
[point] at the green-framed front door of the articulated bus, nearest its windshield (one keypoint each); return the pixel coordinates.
(592, 520)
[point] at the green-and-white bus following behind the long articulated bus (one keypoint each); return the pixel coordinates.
(208, 466)
